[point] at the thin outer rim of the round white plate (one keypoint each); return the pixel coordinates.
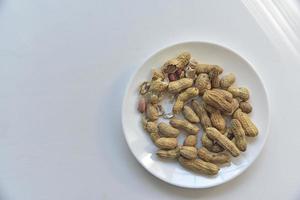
(207, 43)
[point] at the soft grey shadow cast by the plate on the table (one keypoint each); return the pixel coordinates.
(125, 167)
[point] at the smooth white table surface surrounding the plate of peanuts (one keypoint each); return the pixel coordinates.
(64, 65)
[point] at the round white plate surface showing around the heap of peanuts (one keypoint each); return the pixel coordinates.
(170, 171)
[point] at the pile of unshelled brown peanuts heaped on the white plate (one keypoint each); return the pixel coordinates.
(201, 97)
